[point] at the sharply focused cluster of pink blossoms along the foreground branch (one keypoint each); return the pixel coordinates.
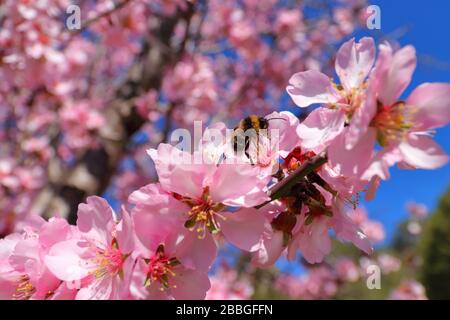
(164, 240)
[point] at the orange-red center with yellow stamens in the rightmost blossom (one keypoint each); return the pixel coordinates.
(393, 123)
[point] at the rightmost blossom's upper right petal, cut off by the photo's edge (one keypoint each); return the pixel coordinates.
(432, 101)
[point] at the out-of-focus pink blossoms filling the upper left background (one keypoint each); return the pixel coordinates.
(57, 85)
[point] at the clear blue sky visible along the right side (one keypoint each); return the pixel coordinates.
(426, 26)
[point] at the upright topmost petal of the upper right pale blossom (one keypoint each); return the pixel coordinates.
(354, 62)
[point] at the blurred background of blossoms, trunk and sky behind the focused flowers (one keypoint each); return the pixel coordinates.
(78, 109)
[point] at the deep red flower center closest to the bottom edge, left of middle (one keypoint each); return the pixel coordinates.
(160, 268)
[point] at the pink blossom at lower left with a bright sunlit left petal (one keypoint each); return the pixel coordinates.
(97, 260)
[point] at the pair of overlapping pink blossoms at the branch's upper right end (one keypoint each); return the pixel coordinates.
(365, 108)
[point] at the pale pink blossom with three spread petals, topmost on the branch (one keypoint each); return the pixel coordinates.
(353, 63)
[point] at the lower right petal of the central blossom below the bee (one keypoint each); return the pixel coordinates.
(243, 228)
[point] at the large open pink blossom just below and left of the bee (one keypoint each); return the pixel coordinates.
(206, 189)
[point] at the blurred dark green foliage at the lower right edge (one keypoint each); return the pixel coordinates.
(435, 251)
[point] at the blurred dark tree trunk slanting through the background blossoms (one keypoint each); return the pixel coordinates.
(93, 172)
